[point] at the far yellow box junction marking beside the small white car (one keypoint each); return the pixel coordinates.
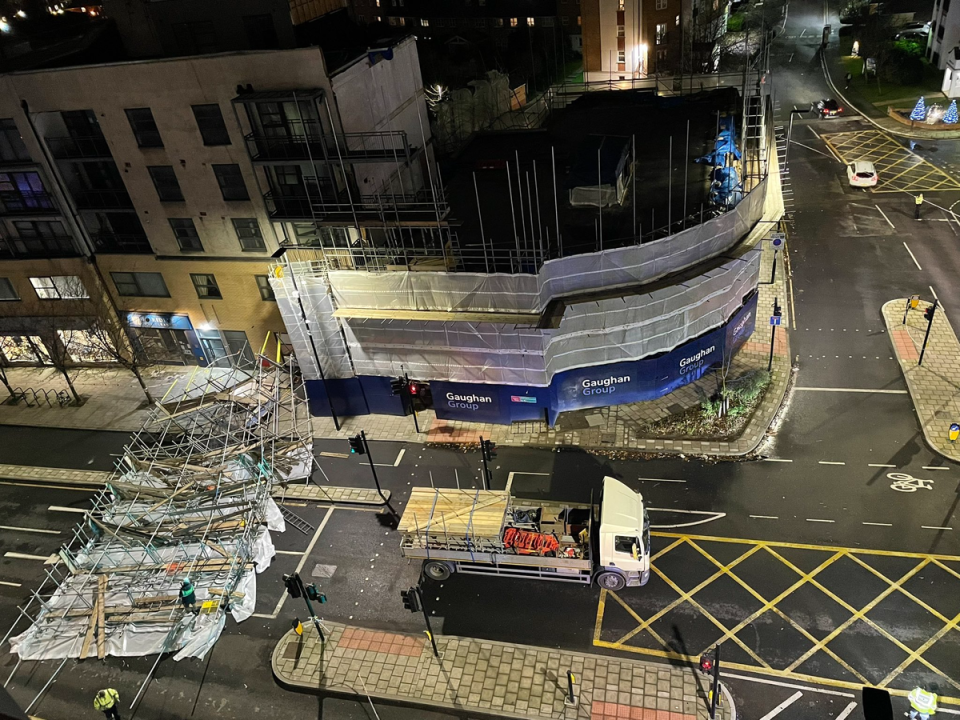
(899, 169)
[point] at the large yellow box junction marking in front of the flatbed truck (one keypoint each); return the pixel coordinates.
(775, 550)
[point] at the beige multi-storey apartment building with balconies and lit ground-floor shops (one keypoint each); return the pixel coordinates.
(172, 197)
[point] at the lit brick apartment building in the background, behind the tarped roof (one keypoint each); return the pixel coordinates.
(625, 39)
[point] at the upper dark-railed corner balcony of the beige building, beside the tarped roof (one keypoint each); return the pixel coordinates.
(353, 147)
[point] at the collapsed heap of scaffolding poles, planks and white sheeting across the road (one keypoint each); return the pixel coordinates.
(190, 498)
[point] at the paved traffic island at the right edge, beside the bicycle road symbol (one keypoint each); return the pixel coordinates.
(934, 386)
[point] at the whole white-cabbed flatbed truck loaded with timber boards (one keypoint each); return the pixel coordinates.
(493, 532)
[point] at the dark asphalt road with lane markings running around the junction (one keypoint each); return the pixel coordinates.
(828, 562)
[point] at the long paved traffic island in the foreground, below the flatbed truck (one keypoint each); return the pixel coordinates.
(477, 676)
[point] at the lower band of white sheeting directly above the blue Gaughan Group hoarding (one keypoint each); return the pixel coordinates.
(624, 328)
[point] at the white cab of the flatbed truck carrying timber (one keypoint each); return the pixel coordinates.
(624, 537)
